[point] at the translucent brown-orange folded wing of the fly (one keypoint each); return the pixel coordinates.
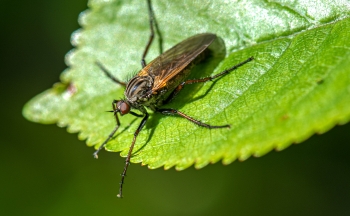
(174, 60)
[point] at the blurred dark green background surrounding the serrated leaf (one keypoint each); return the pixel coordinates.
(47, 171)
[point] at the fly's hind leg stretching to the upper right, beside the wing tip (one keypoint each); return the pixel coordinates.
(179, 87)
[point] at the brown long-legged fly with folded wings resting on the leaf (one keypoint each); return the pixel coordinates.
(159, 82)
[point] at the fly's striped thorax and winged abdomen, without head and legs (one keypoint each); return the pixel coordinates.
(153, 84)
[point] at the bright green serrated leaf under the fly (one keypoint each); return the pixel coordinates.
(298, 84)
